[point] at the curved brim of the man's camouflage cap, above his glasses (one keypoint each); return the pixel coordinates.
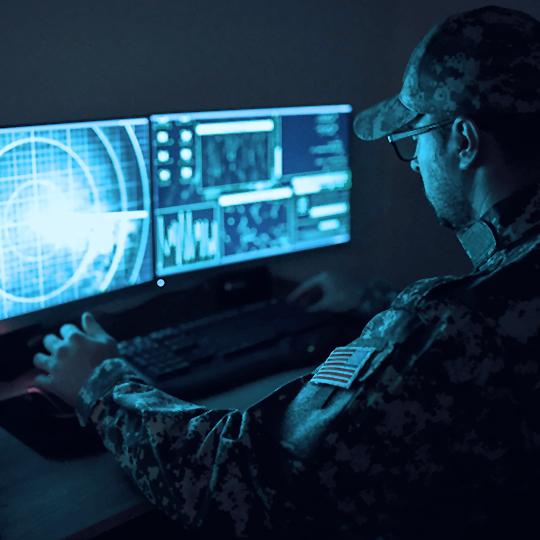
(382, 119)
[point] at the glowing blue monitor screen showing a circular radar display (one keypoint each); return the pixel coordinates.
(75, 212)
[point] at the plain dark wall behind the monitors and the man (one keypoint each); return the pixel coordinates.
(84, 60)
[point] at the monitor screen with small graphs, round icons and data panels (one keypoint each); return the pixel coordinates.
(230, 186)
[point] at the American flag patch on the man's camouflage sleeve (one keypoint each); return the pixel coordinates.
(342, 366)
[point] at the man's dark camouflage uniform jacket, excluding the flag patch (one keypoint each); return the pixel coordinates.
(438, 436)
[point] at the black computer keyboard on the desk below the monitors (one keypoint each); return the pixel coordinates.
(233, 346)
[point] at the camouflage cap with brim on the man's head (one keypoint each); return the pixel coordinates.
(484, 60)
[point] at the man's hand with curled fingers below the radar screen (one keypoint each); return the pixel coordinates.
(72, 357)
